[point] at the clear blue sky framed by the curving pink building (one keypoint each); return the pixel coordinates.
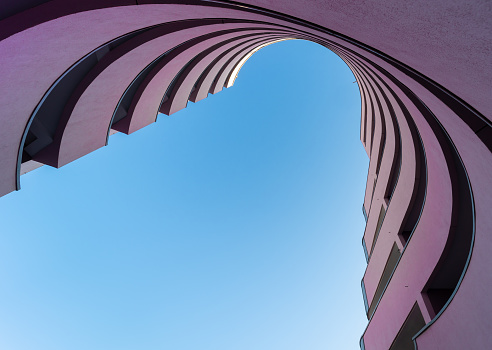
(234, 224)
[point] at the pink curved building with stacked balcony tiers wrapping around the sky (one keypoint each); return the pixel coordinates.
(73, 72)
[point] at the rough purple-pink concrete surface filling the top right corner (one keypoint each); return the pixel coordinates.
(450, 33)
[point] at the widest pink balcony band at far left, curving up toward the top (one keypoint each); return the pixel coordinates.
(61, 42)
